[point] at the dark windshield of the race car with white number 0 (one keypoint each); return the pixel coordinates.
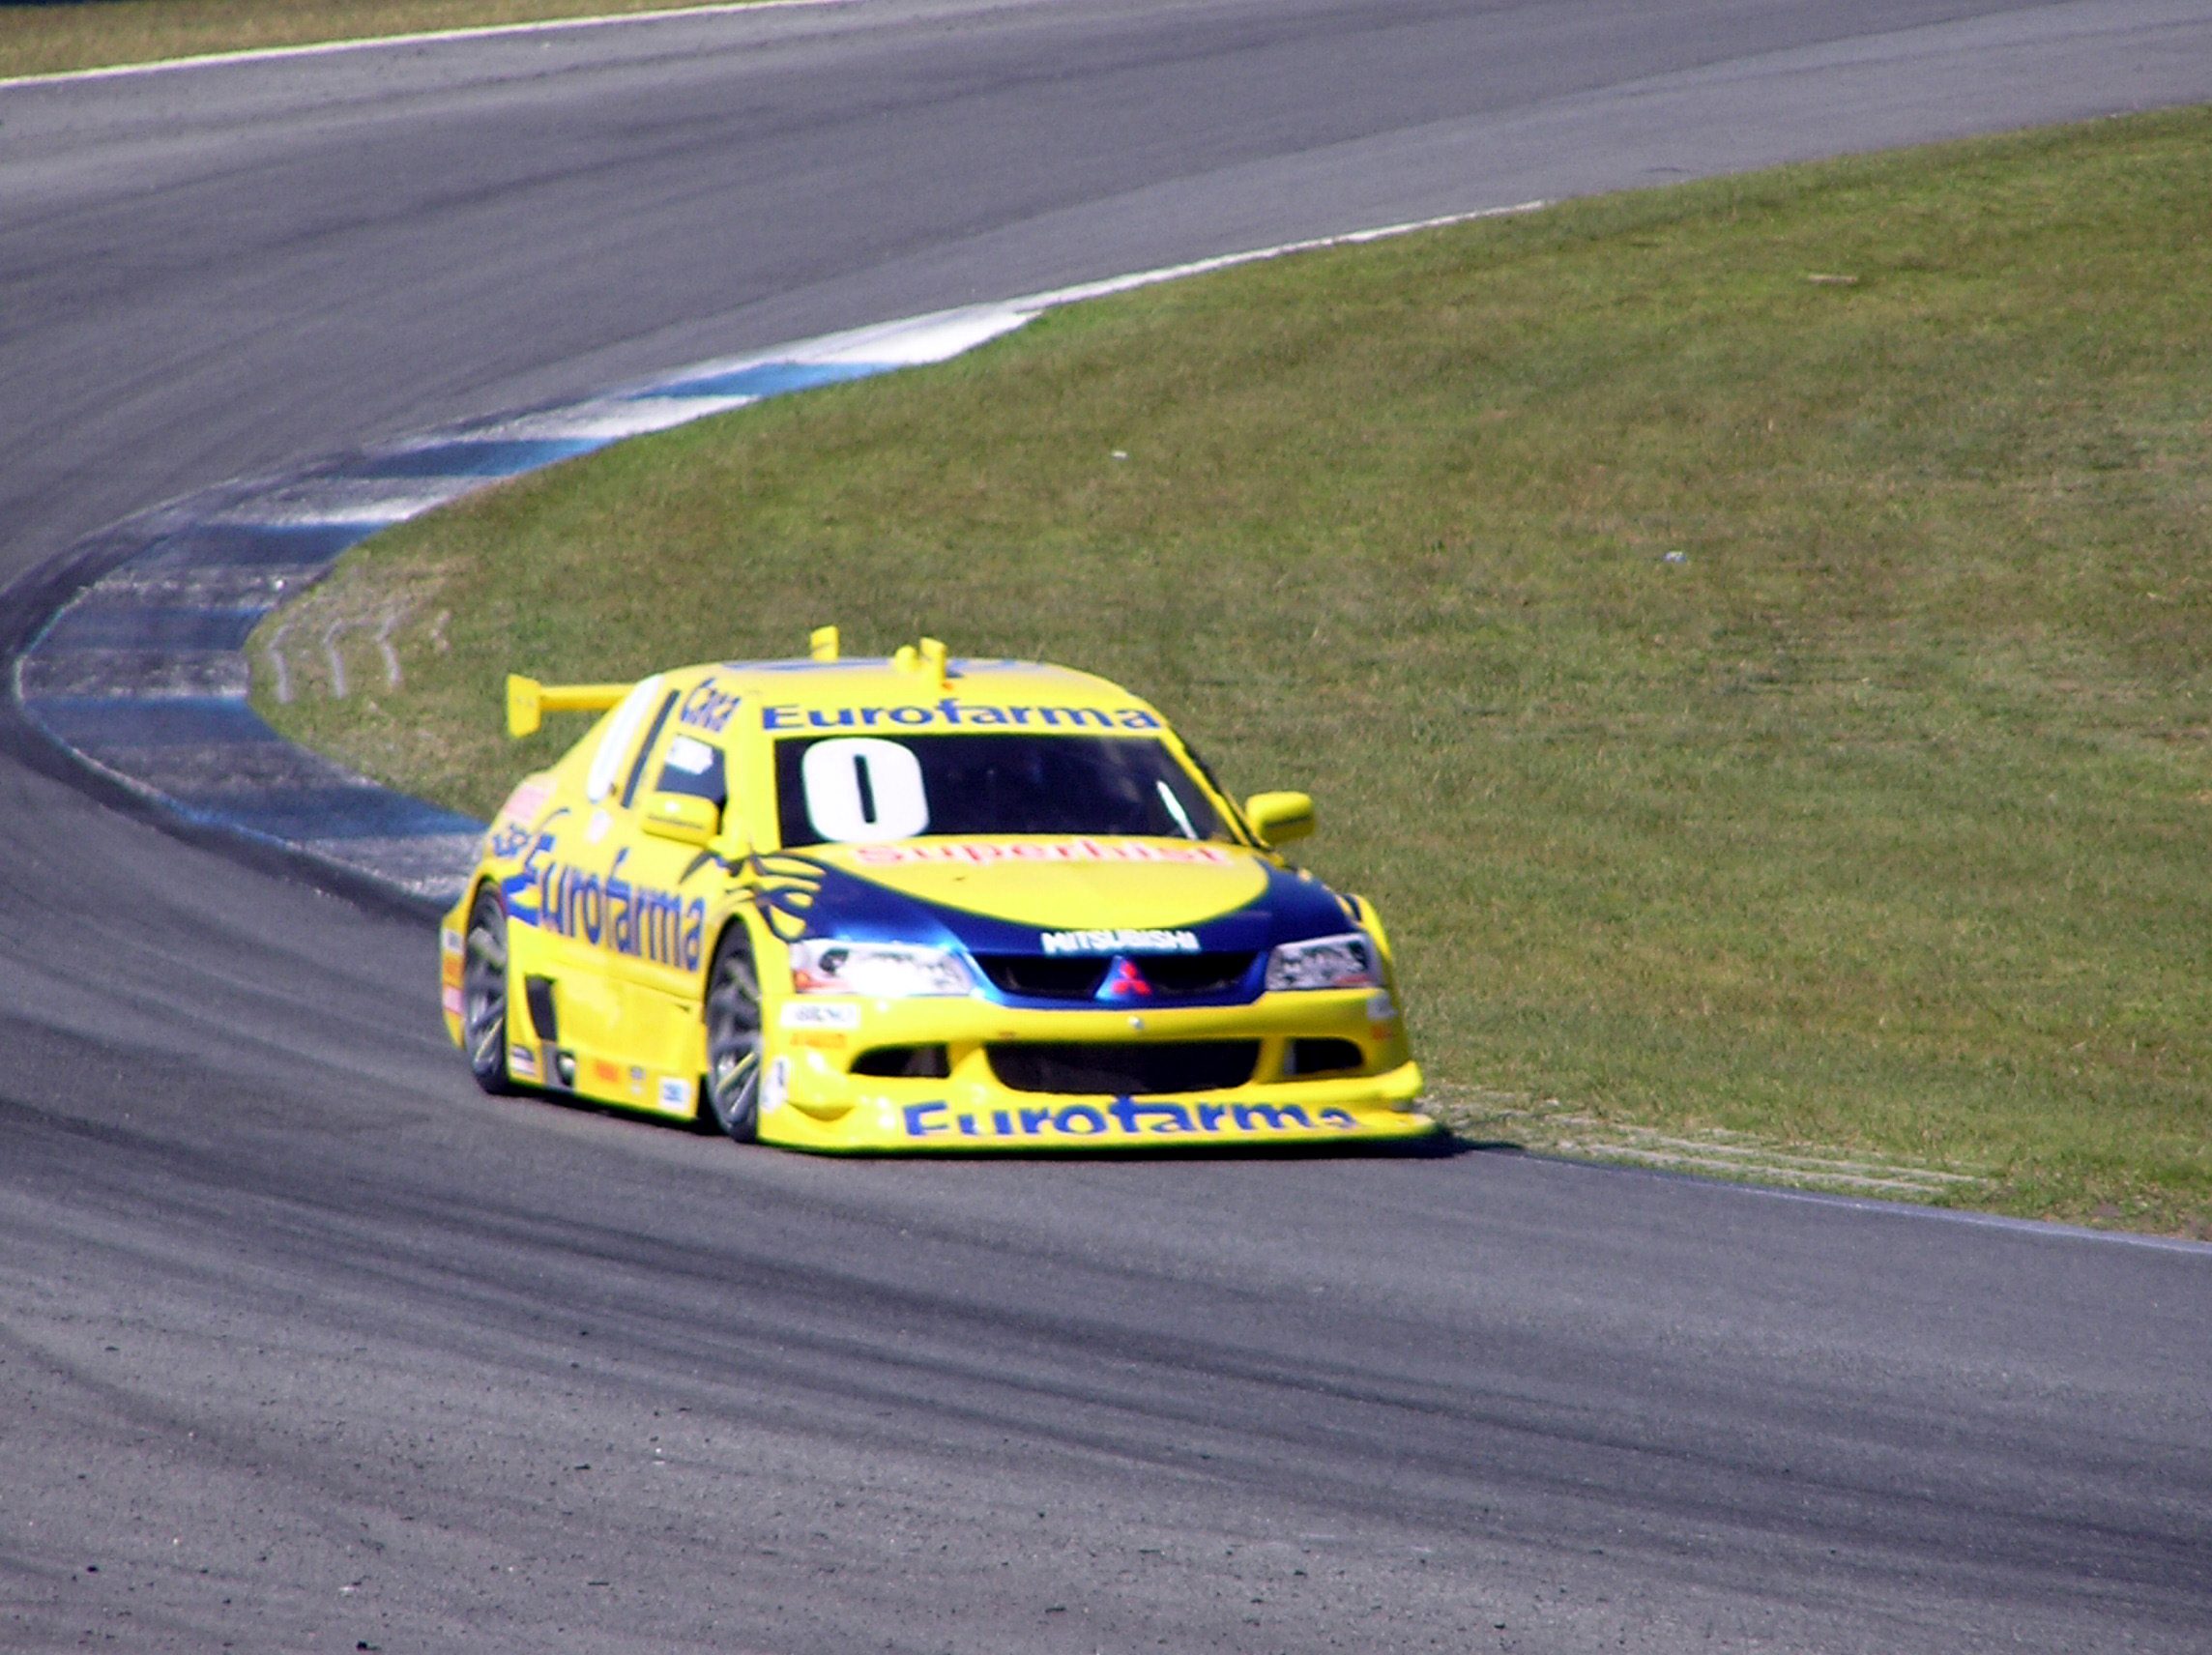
(877, 787)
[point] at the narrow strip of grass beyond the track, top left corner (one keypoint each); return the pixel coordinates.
(101, 34)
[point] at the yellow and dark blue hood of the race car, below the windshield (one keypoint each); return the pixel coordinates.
(1067, 895)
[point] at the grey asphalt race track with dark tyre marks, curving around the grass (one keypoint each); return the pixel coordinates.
(306, 1346)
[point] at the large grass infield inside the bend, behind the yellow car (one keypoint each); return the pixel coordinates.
(1877, 824)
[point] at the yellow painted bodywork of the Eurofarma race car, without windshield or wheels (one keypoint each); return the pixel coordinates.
(612, 928)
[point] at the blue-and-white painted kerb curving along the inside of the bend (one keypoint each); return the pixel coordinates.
(143, 674)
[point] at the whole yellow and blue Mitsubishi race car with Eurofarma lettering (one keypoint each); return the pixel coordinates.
(917, 904)
